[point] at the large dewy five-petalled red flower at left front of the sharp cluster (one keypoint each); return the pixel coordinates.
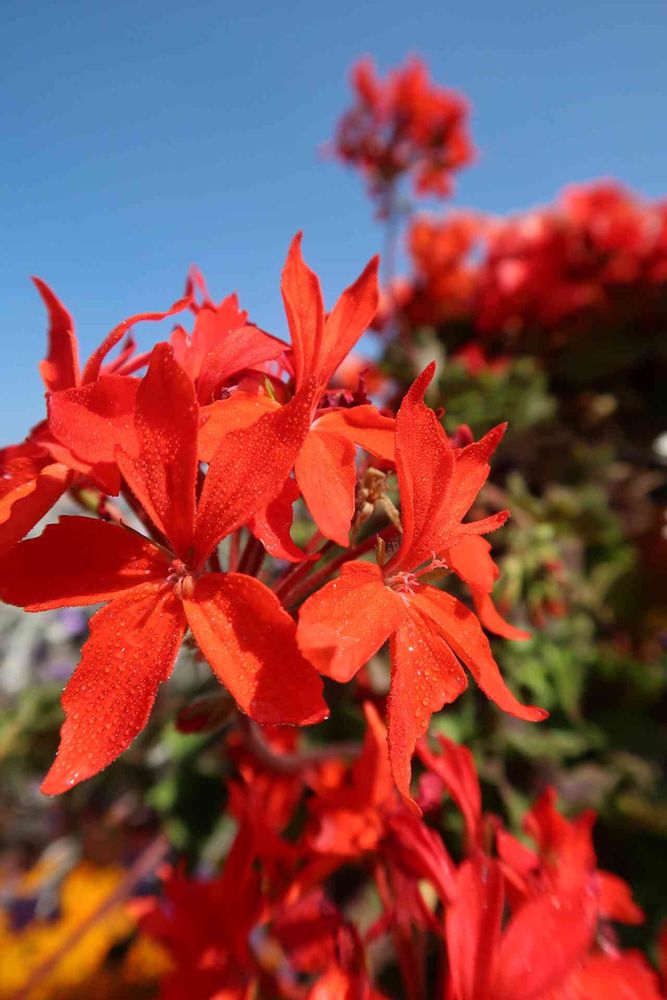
(156, 592)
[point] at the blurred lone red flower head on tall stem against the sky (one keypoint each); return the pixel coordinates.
(404, 125)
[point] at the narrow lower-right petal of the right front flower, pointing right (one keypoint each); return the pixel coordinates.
(462, 632)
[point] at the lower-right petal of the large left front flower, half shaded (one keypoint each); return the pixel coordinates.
(249, 641)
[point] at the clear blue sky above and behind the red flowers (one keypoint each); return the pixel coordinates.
(139, 137)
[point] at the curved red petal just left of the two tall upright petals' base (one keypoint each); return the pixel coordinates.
(241, 349)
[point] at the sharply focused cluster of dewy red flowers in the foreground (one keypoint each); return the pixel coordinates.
(208, 451)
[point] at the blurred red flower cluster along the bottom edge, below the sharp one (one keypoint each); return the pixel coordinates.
(498, 918)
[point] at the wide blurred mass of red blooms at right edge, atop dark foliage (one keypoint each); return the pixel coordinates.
(598, 257)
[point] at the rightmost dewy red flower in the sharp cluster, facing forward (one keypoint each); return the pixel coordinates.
(345, 623)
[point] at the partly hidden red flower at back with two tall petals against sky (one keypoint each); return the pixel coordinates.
(325, 468)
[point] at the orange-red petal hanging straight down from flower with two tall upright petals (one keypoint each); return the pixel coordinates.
(326, 473)
